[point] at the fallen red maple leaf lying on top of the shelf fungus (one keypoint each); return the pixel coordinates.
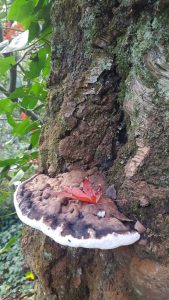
(87, 195)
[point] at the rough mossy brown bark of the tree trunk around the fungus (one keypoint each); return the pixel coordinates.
(108, 108)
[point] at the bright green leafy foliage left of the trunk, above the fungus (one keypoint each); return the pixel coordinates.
(23, 80)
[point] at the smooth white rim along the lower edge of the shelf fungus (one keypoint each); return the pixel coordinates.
(110, 241)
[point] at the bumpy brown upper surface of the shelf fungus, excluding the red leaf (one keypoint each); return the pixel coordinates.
(36, 201)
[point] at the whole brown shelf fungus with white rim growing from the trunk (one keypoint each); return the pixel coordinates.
(42, 203)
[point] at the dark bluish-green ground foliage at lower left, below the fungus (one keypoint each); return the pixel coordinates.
(13, 279)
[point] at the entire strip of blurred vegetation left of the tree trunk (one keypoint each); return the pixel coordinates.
(25, 33)
